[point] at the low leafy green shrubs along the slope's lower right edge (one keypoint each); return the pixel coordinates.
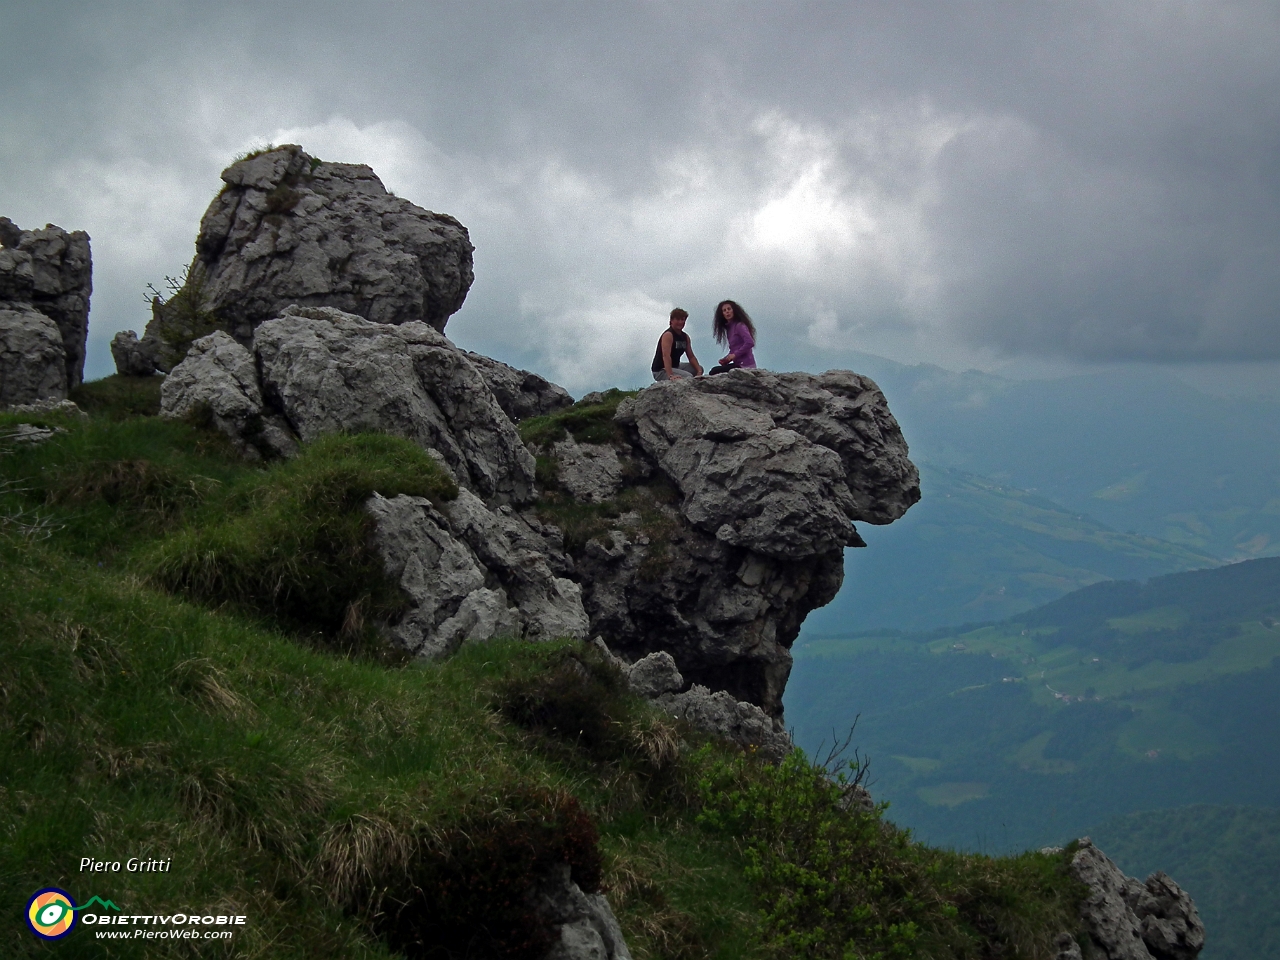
(835, 881)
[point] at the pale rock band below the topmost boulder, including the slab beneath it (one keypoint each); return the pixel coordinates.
(472, 569)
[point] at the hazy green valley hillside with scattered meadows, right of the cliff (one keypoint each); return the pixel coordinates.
(1116, 698)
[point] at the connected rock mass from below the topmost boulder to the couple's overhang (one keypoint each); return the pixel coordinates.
(732, 499)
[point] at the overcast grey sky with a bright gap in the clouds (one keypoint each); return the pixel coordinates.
(1021, 186)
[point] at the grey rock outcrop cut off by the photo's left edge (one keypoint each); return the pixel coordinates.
(49, 273)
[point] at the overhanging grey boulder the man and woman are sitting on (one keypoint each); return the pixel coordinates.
(688, 424)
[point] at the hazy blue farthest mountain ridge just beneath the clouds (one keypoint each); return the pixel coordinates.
(1137, 450)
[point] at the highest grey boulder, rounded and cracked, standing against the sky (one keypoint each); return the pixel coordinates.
(289, 228)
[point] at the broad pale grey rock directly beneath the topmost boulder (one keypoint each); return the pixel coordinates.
(319, 371)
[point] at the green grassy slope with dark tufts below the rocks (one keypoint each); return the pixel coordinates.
(157, 701)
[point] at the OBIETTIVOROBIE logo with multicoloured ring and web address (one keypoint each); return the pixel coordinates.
(52, 915)
